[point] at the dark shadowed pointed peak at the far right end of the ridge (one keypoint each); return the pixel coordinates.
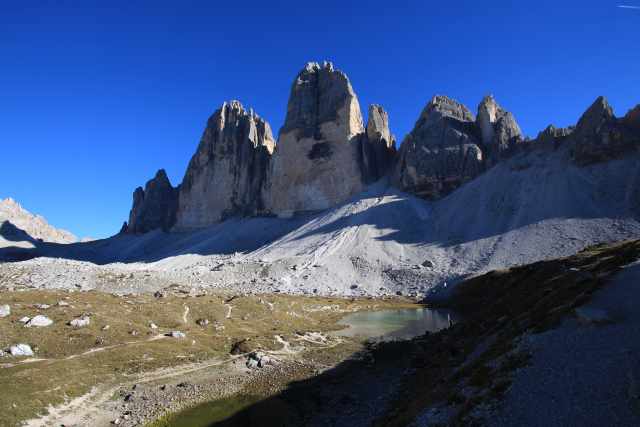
(600, 136)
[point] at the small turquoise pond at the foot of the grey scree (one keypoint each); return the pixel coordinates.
(391, 325)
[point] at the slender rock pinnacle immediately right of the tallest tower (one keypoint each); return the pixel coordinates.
(378, 145)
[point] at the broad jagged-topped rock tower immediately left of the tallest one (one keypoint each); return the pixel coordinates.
(226, 175)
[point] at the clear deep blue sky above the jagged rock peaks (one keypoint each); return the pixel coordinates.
(95, 96)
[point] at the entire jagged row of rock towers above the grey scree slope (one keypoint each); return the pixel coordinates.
(325, 155)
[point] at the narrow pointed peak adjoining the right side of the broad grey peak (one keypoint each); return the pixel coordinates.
(500, 133)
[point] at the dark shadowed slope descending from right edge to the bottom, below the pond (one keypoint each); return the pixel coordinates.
(457, 369)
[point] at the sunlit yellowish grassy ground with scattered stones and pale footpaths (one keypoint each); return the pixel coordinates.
(128, 341)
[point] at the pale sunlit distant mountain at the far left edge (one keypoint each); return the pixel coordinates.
(18, 224)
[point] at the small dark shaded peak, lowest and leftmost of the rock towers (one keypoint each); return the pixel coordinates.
(154, 207)
